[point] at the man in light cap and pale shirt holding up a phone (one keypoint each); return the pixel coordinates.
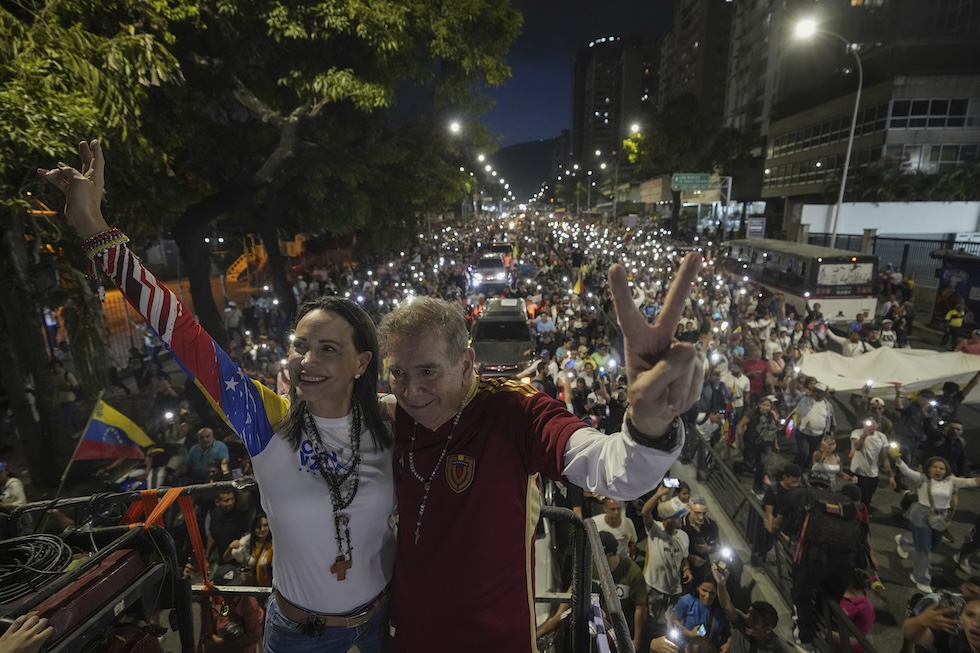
(666, 568)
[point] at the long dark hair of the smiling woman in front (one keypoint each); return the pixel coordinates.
(365, 337)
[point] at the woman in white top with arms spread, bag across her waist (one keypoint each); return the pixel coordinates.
(928, 515)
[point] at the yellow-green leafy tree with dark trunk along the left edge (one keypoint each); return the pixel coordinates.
(58, 81)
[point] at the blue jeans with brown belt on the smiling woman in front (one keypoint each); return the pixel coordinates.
(283, 635)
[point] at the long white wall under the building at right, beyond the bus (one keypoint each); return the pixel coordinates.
(905, 218)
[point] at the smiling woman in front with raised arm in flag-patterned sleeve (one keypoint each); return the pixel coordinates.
(322, 455)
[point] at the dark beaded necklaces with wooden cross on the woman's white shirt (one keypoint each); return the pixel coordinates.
(336, 481)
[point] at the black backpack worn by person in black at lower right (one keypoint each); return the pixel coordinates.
(831, 523)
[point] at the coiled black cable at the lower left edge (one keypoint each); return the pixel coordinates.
(27, 563)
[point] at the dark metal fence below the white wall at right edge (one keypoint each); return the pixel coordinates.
(911, 256)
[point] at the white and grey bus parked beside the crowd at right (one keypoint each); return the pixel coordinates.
(842, 282)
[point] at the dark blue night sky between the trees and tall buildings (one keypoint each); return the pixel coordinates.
(536, 102)
